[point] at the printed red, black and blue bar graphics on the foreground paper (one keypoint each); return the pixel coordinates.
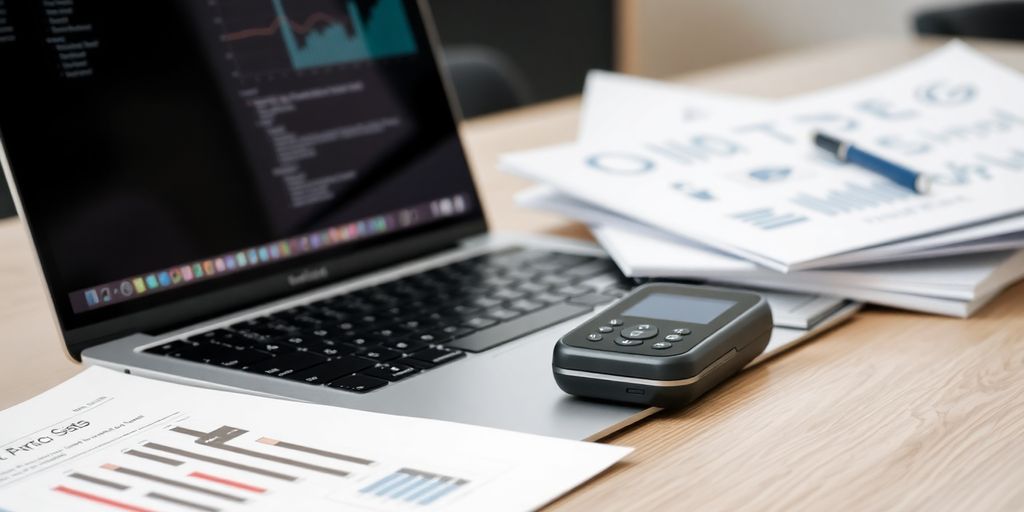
(181, 465)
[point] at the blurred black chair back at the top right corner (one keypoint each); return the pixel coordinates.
(993, 21)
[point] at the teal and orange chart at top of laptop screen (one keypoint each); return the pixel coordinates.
(269, 36)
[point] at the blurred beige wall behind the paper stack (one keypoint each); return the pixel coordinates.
(667, 37)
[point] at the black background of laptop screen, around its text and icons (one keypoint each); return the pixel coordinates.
(159, 157)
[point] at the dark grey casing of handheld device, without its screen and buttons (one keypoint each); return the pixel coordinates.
(670, 380)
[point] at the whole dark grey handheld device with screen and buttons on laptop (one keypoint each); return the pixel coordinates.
(663, 346)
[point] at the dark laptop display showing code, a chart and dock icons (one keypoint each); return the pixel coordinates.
(167, 149)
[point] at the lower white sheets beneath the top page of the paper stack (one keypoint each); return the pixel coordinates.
(952, 286)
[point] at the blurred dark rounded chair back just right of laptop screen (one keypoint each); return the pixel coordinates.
(485, 80)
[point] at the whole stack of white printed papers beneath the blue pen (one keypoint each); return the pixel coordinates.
(684, 184)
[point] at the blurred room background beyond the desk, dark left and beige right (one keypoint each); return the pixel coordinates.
(503, 54)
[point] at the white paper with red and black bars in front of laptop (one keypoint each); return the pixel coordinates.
(106, 441)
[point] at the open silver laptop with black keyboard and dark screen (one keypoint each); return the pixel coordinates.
(271, 197)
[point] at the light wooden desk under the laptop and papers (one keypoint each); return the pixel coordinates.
(892, 411)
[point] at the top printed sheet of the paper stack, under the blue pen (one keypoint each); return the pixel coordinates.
(758, 190)
